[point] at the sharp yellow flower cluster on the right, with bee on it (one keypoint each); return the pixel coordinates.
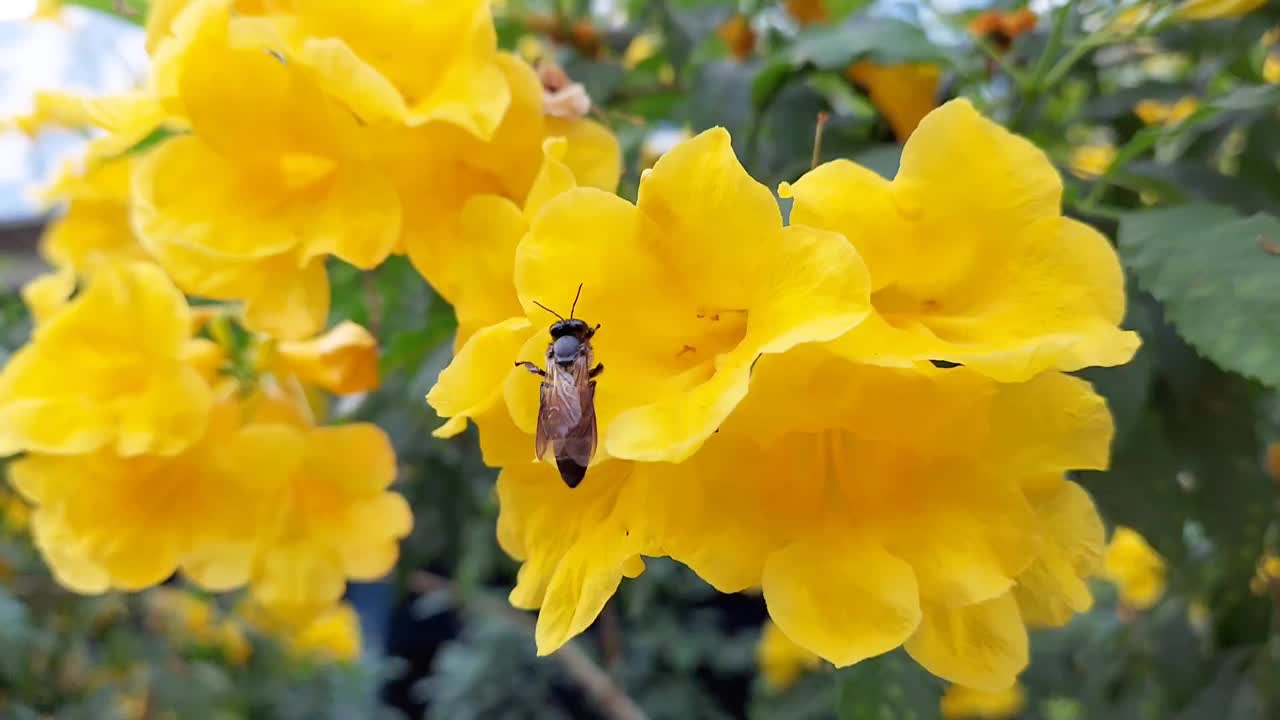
(865, 412)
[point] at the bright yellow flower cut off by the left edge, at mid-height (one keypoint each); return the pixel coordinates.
(107, 371)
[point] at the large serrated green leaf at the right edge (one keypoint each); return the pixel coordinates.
(1218, 276)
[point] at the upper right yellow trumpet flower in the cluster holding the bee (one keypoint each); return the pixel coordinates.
(971, 258)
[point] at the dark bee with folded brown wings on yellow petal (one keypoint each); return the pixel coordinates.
(566, 411)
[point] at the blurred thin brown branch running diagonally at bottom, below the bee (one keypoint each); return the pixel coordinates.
(609, 696)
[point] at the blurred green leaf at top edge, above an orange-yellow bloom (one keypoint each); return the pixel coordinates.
(883, 40)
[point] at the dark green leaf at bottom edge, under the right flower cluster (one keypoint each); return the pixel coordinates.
(890, 687)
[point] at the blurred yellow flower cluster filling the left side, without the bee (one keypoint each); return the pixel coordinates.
(162, 435)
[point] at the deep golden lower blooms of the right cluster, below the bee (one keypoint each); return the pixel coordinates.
(867, 525)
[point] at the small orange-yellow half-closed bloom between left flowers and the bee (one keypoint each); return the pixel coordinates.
(344, 361)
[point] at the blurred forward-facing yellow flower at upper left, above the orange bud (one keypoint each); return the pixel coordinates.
(272, 180)
